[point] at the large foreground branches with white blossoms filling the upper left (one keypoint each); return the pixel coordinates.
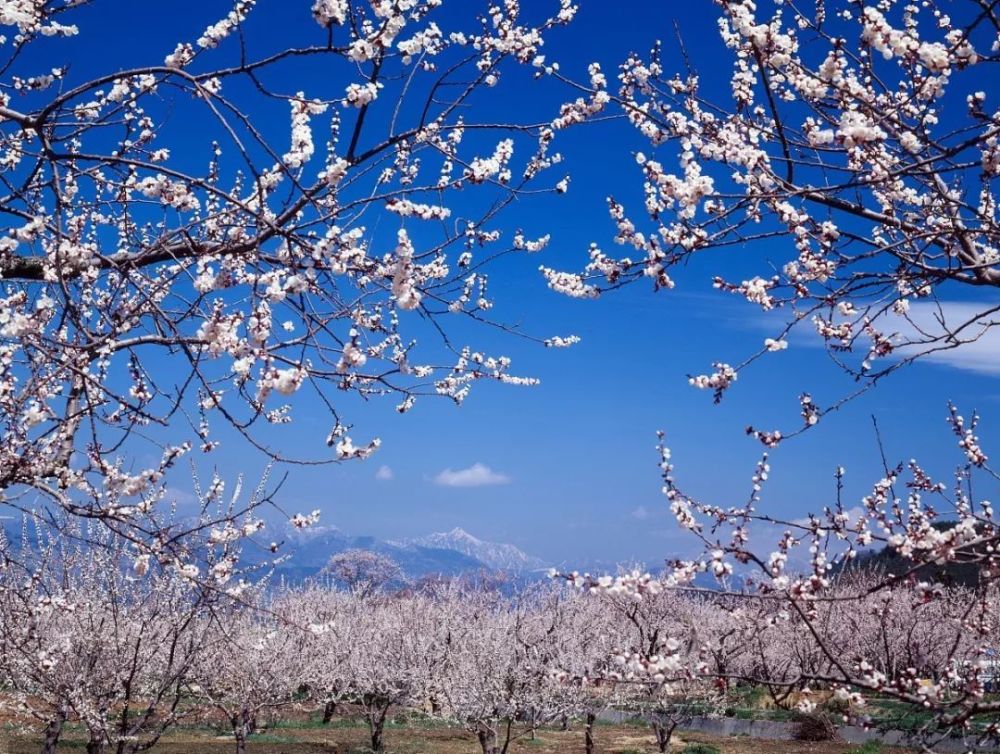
(170, 260)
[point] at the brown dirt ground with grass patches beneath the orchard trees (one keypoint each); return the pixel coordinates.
(341, 738)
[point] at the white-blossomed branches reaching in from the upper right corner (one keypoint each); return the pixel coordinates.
(857, 148)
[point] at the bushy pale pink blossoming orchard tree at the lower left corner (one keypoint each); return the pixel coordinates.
(82, 636)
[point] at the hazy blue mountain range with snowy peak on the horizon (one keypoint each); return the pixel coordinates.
(452, 553)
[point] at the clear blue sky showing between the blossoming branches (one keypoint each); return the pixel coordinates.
(569, 467)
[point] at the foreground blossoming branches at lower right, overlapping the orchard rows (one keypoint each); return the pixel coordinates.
(803, 625)
